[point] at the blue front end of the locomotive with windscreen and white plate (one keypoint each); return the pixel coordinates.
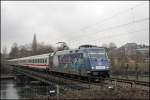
(99, 63)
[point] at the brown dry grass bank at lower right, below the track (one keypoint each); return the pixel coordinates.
(103, 93)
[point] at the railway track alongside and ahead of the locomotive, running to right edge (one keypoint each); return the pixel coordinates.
(110, 83)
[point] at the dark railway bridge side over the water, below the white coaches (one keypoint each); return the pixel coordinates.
(43, 76)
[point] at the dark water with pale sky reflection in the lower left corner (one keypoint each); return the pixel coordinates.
(9, 90)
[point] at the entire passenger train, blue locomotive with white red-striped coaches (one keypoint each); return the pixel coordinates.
(87, 61)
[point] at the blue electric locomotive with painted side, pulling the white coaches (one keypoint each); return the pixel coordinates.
(86, 61)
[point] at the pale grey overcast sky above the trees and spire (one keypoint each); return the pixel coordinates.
(74, 22)
